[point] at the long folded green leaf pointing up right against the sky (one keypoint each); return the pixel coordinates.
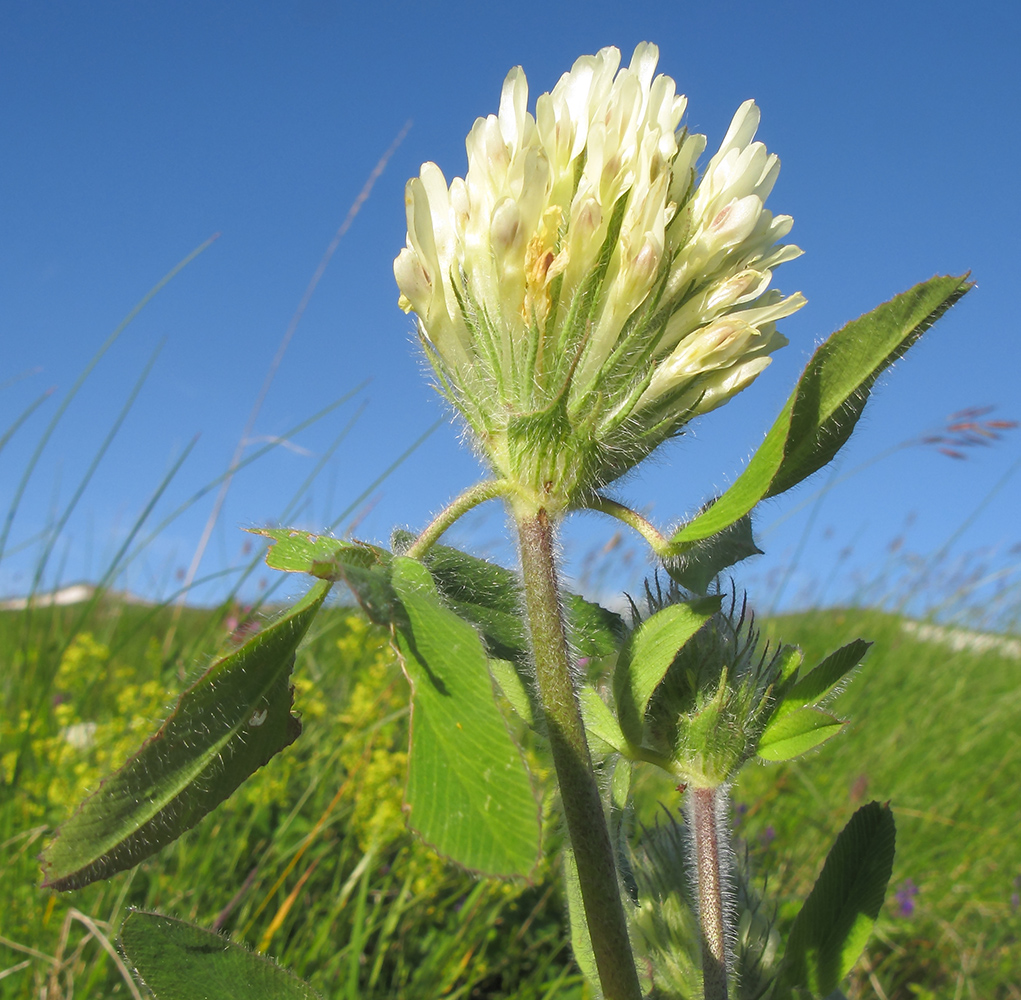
(828, 402)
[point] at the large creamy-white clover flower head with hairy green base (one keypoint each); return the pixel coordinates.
(579, 296)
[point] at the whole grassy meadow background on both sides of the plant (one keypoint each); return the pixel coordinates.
(311, 862)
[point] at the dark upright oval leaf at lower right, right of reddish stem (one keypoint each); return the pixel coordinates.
(837, 920)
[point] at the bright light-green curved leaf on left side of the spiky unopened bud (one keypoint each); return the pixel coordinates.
(649, 654)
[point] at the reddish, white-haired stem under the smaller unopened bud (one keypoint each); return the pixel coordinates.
(710, 849)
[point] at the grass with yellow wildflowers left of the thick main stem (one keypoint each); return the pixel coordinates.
(310, 862)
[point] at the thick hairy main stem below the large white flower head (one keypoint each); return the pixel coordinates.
(579, 791)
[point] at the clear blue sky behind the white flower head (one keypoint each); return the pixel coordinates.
(132, 132)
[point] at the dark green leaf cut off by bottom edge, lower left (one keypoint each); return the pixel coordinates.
(180, 962)
